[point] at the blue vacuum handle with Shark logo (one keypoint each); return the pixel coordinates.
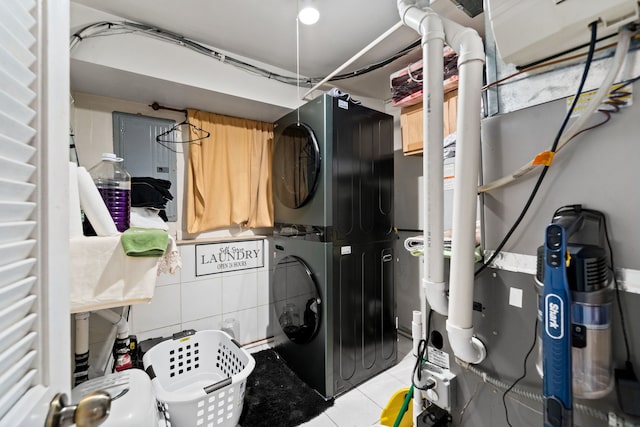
(556, 341)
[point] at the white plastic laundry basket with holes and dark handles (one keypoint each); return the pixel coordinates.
(200, 378)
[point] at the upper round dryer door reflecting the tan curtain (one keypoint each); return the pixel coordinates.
(296, 165)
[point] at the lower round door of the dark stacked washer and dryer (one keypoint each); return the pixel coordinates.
(297, 299)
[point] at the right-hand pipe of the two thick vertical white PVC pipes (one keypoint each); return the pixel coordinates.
(470, 49)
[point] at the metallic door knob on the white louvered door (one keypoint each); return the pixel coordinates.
(91, 411)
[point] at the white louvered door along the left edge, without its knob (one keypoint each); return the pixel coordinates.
(34, 276)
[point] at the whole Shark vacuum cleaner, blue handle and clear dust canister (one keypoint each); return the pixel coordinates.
(575, 305)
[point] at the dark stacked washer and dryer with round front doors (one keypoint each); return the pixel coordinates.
(332, 292)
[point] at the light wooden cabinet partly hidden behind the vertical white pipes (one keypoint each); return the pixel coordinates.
(412, 127)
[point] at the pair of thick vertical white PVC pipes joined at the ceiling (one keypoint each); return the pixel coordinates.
(466, 42)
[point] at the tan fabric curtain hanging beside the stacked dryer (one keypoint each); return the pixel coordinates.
(229, 173)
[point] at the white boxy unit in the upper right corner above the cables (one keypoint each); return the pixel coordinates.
(526, 31)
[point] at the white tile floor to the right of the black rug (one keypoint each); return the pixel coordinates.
(362, 406)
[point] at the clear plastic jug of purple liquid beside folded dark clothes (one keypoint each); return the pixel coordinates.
(114, 185)
